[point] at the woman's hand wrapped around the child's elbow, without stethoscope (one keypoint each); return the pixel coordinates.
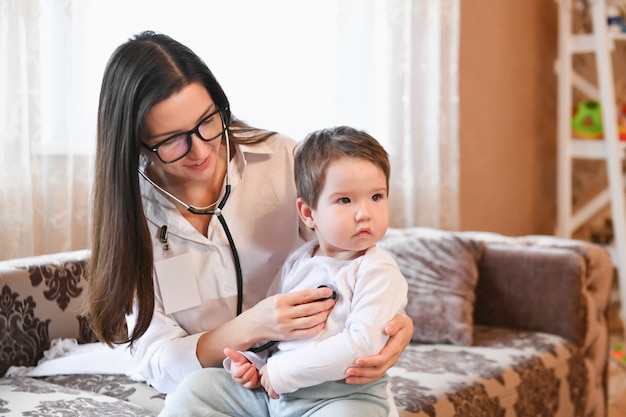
(371, 368)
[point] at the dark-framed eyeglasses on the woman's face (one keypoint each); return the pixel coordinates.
(176, 147)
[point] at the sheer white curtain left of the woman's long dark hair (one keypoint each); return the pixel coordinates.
(44, 162)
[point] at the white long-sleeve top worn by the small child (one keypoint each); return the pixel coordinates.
(371, 291)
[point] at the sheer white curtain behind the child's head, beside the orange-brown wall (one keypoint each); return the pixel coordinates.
(399, 76)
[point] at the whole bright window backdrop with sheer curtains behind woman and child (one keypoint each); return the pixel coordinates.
(387, 66)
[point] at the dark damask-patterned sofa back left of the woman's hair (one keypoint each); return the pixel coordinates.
(40, 300)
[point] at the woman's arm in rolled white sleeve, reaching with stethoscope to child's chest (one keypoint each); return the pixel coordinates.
(166, 353)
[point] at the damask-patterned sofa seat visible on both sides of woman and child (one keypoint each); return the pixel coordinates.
(505, 373)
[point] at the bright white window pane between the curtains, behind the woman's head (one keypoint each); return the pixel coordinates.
(276, 60)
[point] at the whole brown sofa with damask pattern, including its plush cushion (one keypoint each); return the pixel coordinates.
(504, 326)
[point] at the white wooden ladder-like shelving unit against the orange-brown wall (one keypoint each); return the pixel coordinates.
(601, 44)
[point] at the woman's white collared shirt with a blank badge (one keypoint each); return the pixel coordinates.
(262, 217)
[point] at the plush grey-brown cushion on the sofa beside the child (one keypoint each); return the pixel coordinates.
(442, 275)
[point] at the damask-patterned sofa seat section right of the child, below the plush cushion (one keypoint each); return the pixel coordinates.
(505, 373)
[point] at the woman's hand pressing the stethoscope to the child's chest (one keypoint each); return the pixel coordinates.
(291, 316)
